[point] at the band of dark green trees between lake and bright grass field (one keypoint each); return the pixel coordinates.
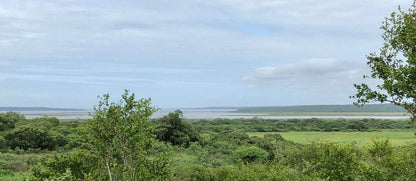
(313, 124)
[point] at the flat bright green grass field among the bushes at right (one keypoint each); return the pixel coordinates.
(397, 138)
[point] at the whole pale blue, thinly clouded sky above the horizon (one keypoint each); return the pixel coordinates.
(187, 53)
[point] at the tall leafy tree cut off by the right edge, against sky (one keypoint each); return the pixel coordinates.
(394, 65)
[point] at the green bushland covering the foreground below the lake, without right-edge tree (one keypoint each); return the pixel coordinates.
(221, 151)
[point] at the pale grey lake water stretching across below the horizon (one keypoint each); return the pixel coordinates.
(205, 113)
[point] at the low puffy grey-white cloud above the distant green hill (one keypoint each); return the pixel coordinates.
(307, 73)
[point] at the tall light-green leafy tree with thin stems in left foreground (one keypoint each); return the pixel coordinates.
(121, 137)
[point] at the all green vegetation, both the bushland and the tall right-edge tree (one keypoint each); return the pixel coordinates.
(121, 142)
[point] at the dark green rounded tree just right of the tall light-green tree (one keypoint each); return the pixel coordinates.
(171, 128)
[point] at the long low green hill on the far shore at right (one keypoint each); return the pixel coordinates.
(324, 108)
